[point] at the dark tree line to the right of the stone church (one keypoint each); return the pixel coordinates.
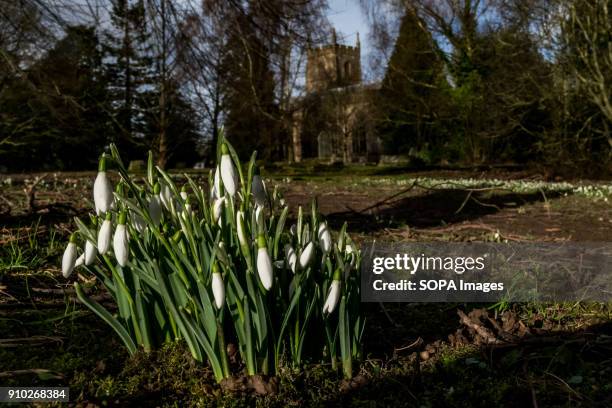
(490, 81)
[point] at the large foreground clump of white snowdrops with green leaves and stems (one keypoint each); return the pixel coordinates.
(219, 266)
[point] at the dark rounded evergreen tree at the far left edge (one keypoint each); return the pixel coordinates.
(57, 118)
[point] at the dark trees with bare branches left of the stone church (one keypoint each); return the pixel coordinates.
(148, 74)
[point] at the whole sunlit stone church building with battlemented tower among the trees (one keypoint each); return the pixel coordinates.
(333, 121)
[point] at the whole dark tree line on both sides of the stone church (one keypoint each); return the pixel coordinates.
(469, 81)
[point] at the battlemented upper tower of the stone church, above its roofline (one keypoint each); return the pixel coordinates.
(333, 66)
